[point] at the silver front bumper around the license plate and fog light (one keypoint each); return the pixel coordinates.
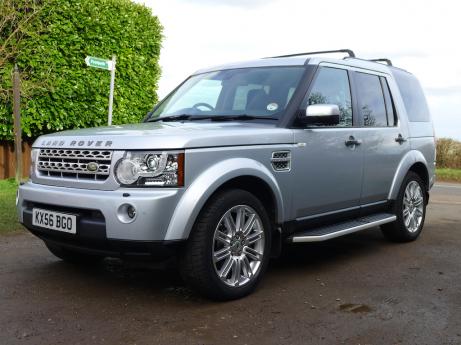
(97, 211)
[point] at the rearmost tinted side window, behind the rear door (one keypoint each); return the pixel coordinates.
(413, 97)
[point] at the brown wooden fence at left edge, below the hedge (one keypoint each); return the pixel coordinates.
(8, 159)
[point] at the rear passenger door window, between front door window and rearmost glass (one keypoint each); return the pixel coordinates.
(371, 100)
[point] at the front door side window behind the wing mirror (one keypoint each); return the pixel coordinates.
(332, 87)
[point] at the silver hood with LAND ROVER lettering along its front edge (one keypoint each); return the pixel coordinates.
(168, 135)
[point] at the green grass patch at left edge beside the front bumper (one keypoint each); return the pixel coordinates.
(8, 218)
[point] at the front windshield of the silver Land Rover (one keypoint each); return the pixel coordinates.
(256, 92)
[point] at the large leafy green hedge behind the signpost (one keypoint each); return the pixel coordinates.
(66, 93)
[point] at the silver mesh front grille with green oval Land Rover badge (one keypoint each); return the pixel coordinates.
(66, 163)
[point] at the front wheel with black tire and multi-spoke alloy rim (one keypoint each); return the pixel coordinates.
(223, 260)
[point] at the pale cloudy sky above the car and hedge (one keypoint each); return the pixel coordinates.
(419, 36)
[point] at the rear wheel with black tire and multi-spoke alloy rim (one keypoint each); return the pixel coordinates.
(410, 209)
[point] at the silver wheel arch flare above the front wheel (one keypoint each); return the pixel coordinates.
(251, 175)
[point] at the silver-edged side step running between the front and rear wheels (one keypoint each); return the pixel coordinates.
(327, 232)
